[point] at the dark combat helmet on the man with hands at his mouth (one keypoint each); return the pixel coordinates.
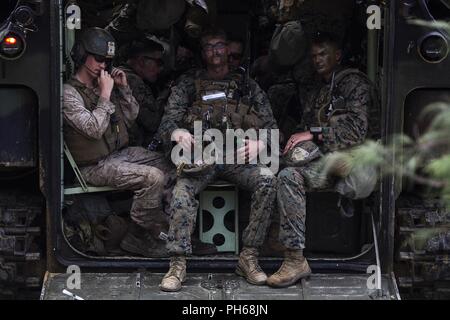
(94, 41)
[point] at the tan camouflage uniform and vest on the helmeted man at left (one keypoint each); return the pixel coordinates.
(88, 129)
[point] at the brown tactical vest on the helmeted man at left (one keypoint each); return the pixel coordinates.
(89, 151)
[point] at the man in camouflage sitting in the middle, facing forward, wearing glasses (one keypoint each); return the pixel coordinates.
(183, 108)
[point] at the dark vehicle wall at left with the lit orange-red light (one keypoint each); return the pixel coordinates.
(26, 138)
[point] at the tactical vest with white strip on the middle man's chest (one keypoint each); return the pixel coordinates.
(220, 104)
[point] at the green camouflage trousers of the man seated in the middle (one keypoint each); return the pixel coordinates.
(184, 206)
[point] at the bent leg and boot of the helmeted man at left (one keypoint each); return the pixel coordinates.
(126, 170)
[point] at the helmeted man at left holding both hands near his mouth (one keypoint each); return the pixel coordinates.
(98, 109)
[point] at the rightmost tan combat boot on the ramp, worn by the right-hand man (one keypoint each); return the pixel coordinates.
(294, 268)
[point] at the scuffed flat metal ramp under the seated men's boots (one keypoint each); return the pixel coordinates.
(219, 286)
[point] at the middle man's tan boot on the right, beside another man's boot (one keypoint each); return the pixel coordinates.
(249, 268)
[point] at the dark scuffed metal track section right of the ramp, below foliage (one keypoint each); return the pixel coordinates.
(424, 244)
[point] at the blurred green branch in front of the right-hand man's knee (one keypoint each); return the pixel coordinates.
(424, 159)
